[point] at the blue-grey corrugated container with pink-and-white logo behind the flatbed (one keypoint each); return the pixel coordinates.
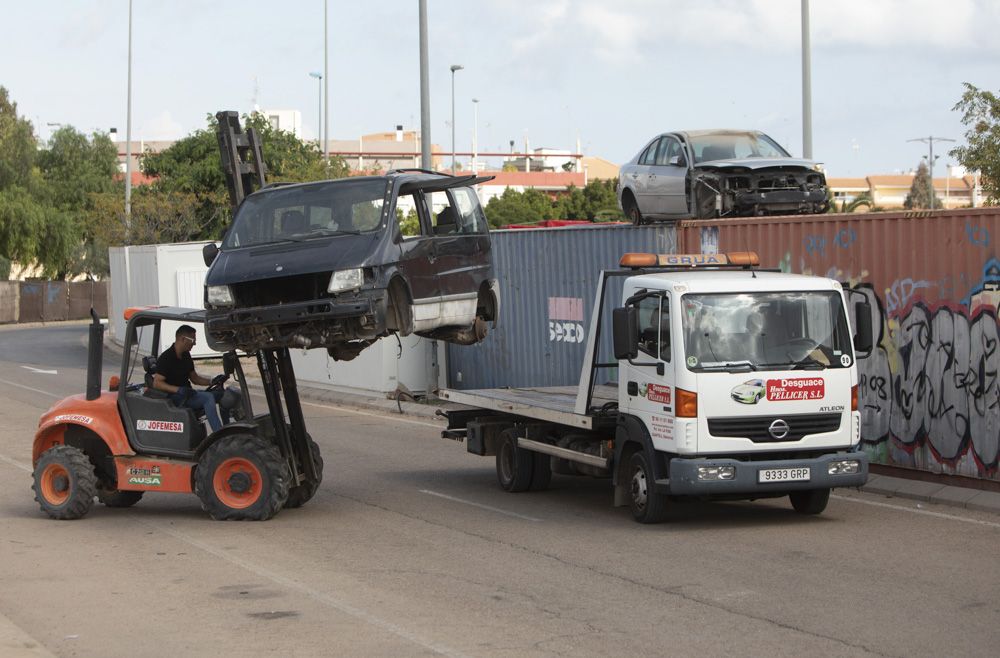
(547, 282)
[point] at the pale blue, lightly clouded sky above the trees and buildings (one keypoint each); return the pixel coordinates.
(609, 74)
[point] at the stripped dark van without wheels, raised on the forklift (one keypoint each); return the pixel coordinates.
(340, 264)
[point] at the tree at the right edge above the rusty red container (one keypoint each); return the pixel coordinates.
(981, 116)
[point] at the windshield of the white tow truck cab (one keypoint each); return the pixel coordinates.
(766, 331)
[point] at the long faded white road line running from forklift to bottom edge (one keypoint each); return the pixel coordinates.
(318, 596)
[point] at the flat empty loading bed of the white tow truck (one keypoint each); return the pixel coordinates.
(555, 404)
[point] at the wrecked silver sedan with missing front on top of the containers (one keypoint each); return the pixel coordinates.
(718, 173)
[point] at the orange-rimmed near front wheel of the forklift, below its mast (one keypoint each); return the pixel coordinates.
(242, 477)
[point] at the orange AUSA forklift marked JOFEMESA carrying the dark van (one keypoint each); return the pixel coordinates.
(117, 444)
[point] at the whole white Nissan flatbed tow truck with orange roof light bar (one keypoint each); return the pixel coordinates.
(729, 382)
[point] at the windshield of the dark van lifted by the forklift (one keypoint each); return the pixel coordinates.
(308, 212)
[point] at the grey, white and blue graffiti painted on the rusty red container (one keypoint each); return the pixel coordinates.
(929, 393)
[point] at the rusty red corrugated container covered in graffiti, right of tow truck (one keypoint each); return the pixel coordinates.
(929, 395)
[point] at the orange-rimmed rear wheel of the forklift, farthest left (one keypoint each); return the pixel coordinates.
(65, 482)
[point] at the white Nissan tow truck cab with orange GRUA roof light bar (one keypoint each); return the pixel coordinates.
(743, 380)
